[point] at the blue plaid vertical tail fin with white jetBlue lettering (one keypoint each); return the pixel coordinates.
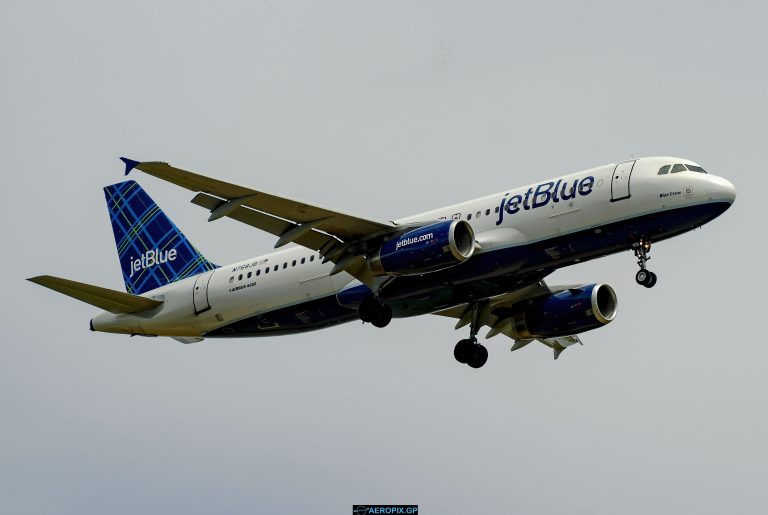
(153, 252)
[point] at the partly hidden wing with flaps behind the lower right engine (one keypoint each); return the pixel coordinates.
(498, 311)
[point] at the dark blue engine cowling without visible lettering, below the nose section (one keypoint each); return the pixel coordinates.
(567, 312)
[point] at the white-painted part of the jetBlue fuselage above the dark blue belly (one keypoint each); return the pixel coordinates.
(582, 203)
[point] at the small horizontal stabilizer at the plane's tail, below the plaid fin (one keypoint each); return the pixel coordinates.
(110, 300)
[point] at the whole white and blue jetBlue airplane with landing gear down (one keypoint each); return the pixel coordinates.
(481, 262)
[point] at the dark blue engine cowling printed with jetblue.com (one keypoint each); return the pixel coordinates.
(425, 249)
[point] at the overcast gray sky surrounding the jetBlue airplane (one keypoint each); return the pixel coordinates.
(383, 109)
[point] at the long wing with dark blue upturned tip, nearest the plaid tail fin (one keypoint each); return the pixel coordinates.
(339, 237)
